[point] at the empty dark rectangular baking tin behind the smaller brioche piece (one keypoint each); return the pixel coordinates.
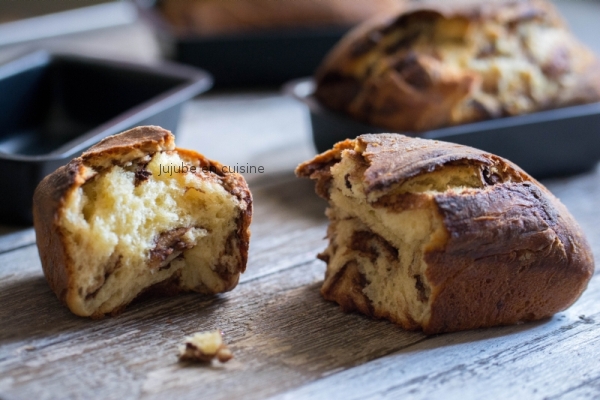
(53, 107)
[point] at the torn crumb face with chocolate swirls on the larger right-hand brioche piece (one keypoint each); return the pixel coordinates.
(397, 286)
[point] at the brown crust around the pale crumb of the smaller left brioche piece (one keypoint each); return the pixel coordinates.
(49, 211)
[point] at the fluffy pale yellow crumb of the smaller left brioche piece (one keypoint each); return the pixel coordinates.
(128, 230)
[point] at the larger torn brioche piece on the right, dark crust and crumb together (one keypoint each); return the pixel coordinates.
(442, 237)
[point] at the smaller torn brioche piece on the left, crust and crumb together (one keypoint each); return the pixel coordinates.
(69, 225)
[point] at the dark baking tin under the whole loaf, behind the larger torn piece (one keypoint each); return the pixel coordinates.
(548, 143)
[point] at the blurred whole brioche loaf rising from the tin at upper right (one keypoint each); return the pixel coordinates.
(439, 64)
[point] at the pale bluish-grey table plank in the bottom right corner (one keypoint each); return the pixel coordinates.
(548, 359)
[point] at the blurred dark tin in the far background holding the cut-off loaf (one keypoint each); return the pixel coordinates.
(262, 58)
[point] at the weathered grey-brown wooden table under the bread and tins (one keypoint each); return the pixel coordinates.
(287, 341)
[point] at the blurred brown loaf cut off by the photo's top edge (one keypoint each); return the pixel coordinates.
(207, 17)
